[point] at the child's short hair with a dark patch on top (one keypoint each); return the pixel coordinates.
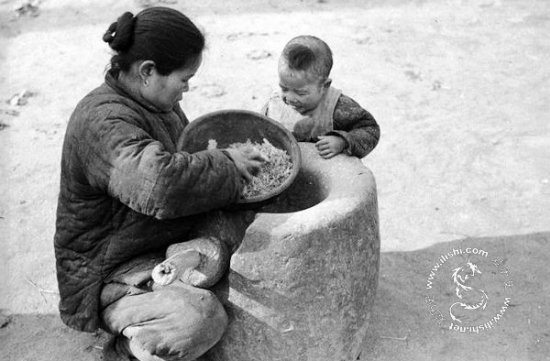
(308, 53)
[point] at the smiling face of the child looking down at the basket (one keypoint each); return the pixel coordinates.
(301, 90)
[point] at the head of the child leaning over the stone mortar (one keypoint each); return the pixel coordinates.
(304, 69)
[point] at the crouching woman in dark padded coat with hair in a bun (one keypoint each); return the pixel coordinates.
(126, 192)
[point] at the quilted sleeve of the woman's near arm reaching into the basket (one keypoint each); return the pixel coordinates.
(123, 160)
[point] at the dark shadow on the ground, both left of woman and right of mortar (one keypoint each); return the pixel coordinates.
(401, 325)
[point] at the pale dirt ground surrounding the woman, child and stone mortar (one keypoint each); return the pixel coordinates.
(461, 91)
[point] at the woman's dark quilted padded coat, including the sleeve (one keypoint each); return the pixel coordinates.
(126, 190)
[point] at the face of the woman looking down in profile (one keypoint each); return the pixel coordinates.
(165, 91)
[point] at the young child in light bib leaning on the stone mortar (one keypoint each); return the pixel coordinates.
(312, 109)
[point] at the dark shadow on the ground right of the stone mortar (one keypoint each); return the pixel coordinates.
(402, 328)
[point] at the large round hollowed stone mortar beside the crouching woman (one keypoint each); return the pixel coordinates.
(301, 285)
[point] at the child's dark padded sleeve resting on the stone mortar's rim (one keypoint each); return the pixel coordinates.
(356, 125)
